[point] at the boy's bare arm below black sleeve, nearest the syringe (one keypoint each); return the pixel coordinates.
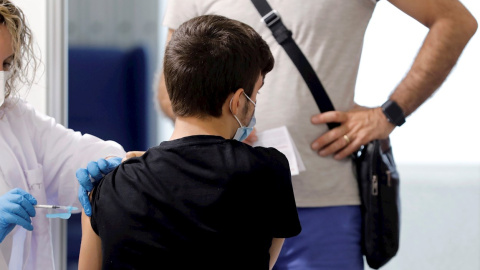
(91, 247)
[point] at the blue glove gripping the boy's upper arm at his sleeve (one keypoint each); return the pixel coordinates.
(95, 171)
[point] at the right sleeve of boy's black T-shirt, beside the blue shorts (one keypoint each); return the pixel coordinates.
(284, 214)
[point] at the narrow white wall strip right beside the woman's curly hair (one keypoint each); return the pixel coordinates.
(36, 14)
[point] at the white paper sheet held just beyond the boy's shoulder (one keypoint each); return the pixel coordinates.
(280, 139)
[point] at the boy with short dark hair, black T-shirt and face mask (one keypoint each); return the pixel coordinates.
(203, 199)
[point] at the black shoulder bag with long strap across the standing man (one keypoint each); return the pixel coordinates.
(376, 172)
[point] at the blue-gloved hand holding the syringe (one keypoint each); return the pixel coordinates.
(16, 208)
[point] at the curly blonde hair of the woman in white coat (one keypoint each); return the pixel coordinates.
(24, 60)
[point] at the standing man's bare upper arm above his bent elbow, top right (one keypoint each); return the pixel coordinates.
(429, 12)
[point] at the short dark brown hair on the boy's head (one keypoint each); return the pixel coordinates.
(209, 57)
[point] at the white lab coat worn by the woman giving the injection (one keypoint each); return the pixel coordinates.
(41, 157)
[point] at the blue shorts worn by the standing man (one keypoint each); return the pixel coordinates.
(330, 239)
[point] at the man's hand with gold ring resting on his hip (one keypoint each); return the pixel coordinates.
(357, 127)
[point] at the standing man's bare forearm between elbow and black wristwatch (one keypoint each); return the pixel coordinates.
(438, 55)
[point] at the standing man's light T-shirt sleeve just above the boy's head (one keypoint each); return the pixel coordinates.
(180, 11)
